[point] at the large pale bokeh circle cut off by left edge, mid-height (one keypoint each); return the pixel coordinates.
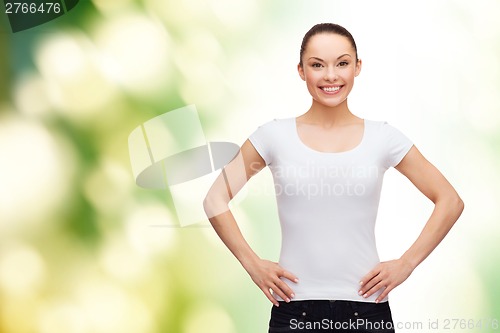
(35, 173)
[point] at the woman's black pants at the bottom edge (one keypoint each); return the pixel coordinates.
(316, 316)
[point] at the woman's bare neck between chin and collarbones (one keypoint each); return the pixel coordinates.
(329, 116)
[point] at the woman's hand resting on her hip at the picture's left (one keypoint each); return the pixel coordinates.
(266, 275)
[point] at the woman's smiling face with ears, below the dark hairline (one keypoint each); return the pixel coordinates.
(329, 67)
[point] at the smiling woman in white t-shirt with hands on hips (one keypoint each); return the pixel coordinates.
(328, 166)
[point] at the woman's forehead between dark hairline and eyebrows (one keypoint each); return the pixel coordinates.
(328, 44)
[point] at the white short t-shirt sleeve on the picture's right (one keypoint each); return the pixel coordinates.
(397, 145)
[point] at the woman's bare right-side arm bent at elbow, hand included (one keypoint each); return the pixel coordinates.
(448, 207)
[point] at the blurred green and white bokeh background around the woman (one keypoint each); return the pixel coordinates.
(83, 249)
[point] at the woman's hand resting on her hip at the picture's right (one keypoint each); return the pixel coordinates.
(387, 275)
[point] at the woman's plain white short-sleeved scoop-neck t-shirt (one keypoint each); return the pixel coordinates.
(327, 205)
